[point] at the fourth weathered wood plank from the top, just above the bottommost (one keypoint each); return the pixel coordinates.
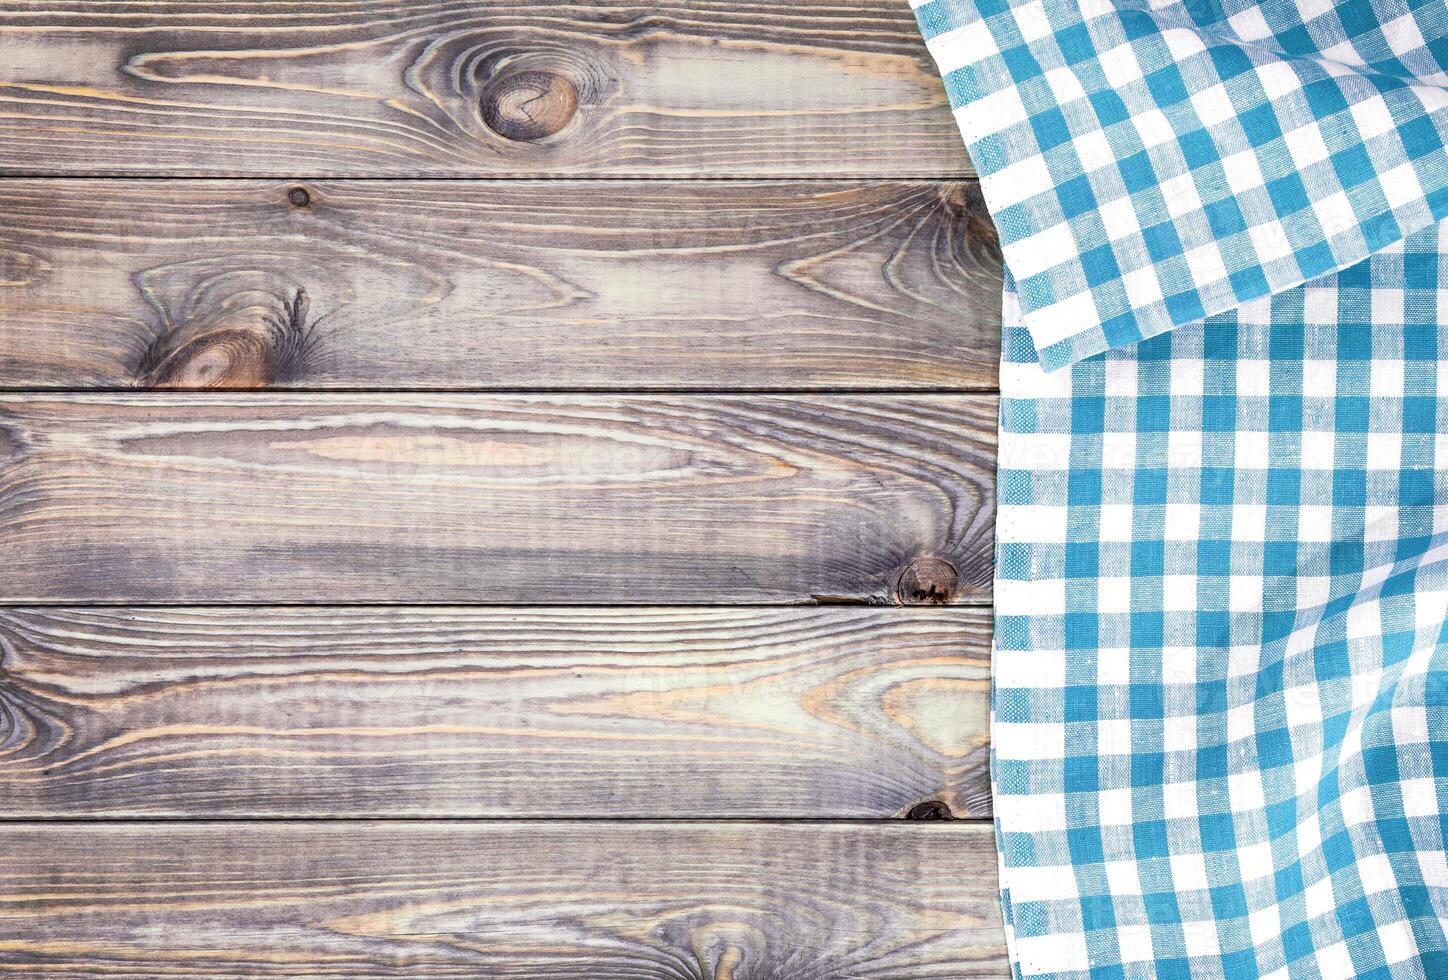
(493, 713)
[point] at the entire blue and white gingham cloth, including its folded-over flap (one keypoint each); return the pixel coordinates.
(1221, 656)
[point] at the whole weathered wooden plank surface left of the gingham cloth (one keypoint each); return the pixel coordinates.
(493, 490)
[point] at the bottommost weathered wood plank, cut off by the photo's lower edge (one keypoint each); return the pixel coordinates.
(551, 901)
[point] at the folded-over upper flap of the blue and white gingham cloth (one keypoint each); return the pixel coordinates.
(1155, 164)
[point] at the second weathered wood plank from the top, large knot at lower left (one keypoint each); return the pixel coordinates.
(499, 284)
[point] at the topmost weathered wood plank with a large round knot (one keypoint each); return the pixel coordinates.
(432, 88)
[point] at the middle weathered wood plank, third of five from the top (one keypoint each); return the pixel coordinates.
(494, 499)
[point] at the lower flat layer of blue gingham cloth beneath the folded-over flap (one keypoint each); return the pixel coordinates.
(1221, 704)
